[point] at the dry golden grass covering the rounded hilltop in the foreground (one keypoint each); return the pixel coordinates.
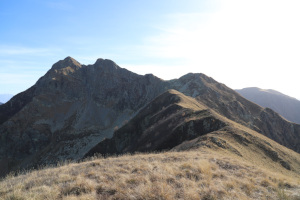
(171, 175)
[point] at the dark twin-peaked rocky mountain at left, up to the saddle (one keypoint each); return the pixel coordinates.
(69, 110)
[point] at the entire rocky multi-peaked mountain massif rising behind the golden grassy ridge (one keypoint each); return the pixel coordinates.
(73, 107)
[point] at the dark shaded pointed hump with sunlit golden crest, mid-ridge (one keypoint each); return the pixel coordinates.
(167, 121)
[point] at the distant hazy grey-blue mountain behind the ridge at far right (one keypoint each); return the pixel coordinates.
(286, 106)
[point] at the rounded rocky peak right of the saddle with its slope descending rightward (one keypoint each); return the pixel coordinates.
(230, 104)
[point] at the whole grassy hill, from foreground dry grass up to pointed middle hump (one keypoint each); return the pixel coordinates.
(199, 154)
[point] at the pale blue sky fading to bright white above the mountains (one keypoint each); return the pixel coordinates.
(241, 43)
